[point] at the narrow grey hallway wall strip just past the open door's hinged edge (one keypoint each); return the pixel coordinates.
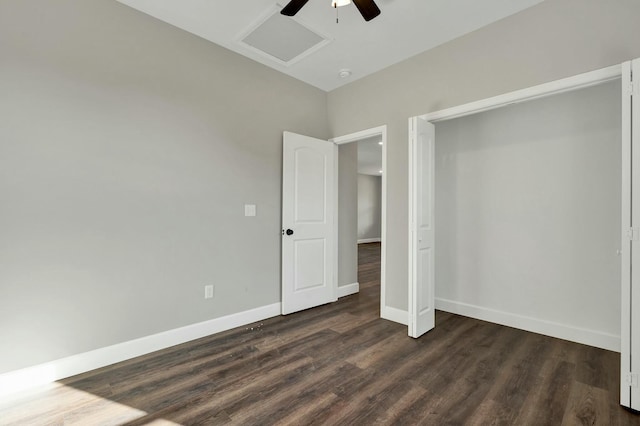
(347, 214)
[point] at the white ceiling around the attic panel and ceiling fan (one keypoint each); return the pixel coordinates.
(404, 29)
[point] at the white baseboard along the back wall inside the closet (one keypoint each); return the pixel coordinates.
(562, 331)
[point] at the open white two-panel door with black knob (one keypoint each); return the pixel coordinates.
(308, 222)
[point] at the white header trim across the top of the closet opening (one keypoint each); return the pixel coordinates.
(559, 86)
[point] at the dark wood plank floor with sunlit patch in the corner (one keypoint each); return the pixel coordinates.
(341, 365)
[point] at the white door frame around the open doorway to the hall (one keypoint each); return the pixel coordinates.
(354, 137)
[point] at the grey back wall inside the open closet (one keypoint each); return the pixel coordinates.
(528, 209)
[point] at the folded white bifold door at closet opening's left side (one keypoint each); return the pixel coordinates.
(421, 222)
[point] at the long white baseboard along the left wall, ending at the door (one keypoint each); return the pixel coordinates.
(42, 374)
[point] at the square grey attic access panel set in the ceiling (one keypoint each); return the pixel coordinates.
(282, 39)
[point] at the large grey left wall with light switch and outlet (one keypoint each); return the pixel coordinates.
(127, 150)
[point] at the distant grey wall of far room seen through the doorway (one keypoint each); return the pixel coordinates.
(369, 206)
